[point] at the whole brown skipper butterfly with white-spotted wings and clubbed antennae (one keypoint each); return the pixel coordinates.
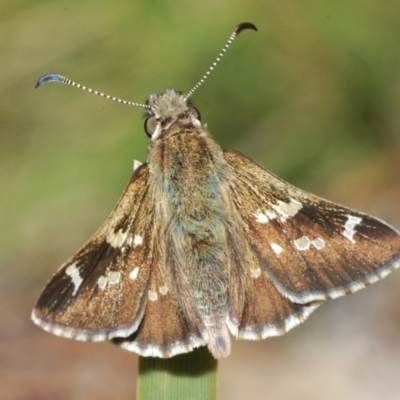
(204, 243)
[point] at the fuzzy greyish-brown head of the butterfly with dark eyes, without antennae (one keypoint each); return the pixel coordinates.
(166, 110)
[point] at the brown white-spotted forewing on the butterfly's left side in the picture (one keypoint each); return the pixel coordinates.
(101, 291)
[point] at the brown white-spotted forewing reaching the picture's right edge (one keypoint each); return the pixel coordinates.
(312, 249)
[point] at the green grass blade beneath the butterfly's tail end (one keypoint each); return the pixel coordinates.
(188, 376)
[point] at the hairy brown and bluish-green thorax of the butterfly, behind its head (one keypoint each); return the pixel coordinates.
(188, 171)
